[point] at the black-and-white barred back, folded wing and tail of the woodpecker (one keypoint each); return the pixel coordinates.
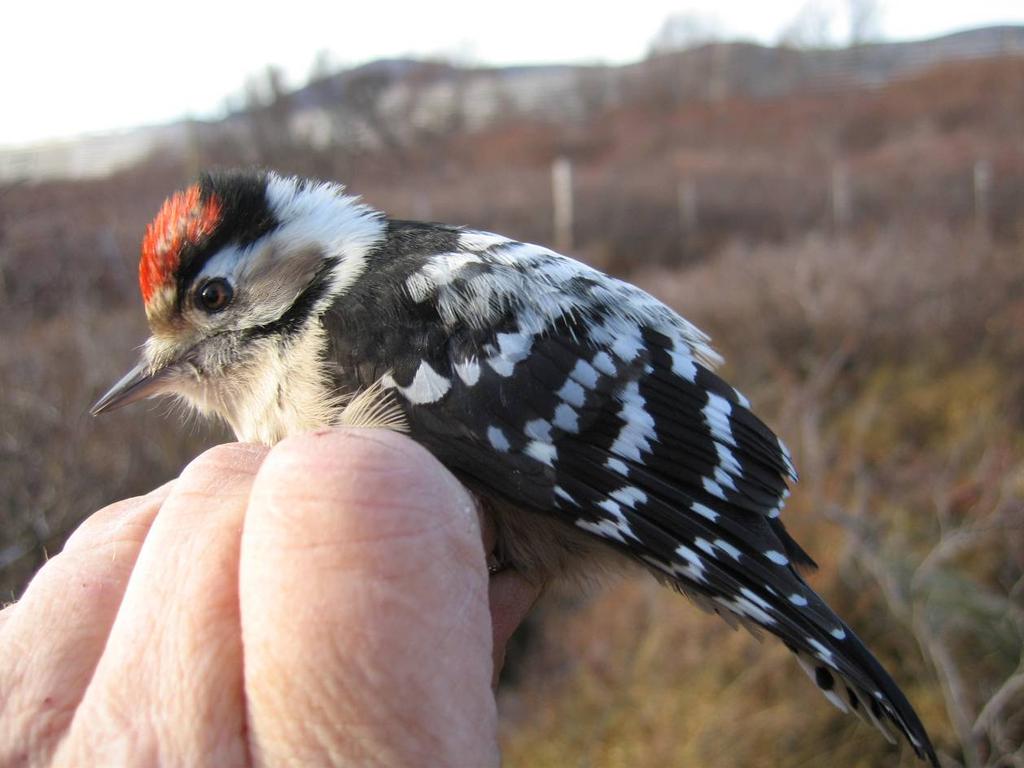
(570, 394)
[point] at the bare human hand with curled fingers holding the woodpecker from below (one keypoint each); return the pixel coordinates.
(323, 603)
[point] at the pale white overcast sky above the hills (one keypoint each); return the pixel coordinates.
(97, 66)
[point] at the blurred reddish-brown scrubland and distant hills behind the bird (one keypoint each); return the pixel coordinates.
(848, 225)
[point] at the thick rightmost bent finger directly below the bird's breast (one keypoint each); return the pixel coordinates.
(365, 613)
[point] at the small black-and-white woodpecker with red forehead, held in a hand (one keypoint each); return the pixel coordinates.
(584, 414)
